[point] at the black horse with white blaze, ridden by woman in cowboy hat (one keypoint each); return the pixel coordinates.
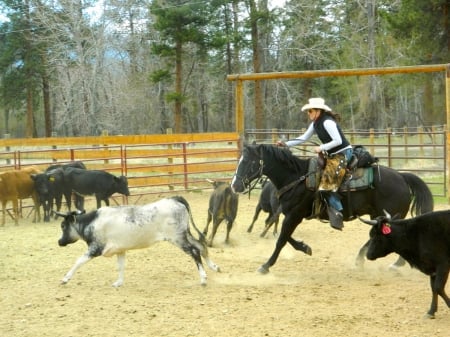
(392, 191)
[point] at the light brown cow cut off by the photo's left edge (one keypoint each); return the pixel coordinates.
(15, 185)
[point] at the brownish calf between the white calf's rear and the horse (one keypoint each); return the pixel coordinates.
(223, 204)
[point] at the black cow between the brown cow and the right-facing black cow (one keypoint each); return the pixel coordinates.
(50, 187)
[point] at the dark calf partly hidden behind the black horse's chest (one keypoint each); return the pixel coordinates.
(269, 203)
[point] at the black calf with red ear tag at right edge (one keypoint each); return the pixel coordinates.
(423, 241)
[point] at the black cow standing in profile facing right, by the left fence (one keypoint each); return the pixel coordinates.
(101, 183)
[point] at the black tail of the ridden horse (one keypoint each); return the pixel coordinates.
(422, 197)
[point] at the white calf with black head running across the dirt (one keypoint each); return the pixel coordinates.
(112, 231)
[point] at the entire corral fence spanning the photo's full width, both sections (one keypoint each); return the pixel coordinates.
(172, 163)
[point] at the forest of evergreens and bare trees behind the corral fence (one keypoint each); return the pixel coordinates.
(83, 67)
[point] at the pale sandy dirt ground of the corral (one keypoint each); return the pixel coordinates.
(319, 295)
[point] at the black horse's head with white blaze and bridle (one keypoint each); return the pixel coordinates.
(249, 168)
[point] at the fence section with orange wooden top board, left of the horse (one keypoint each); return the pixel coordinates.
(153, 164)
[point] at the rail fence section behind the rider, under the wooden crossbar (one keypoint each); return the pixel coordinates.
(418, 150)
